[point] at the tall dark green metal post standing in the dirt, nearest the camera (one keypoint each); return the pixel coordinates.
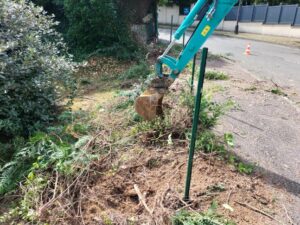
(195, 125)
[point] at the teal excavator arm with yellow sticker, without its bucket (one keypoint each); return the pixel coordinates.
(212, 13)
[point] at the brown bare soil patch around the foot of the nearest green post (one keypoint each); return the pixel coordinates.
(160, 175)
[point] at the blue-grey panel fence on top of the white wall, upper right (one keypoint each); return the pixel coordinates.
(280, 14)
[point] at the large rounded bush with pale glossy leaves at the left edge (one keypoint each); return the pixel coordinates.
(35, 70)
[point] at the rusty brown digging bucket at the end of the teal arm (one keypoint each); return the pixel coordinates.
(149, 104)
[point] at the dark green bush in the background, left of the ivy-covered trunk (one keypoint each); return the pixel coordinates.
(99, 27)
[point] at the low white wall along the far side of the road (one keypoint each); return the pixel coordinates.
(165, 13)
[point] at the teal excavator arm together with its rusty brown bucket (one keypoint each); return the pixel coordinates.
(209, 13)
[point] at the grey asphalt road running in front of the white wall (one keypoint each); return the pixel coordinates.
(267, 61)
